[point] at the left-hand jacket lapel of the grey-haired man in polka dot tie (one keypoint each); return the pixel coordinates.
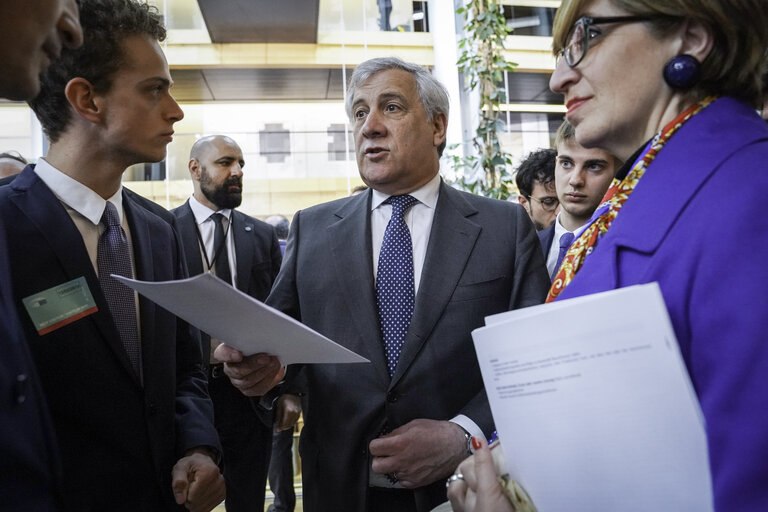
(353, 268)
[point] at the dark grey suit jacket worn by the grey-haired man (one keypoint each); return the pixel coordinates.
(483, 258)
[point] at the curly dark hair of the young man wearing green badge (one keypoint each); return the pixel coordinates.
(105, 24)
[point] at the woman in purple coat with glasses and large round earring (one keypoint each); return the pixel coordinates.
(670, 86)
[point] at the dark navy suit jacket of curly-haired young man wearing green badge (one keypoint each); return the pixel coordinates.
(119, 437)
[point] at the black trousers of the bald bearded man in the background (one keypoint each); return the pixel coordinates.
(246, 442)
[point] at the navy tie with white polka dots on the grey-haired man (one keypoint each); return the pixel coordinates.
(394, 280)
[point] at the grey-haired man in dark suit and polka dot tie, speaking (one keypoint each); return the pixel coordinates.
(400, 274)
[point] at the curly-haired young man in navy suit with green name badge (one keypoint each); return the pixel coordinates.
(123, 378)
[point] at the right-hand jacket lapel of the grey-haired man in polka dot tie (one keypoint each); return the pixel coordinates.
(450, 244)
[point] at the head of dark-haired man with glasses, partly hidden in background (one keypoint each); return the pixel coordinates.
(535, 180)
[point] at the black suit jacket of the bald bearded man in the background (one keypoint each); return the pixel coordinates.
(257, 253)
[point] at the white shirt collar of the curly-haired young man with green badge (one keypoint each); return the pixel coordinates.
(77, 196)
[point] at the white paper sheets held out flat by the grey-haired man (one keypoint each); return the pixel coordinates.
(241, 321)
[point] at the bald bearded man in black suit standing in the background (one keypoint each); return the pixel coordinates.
(244, 252)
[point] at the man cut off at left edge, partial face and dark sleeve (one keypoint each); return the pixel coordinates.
(30, 473)
